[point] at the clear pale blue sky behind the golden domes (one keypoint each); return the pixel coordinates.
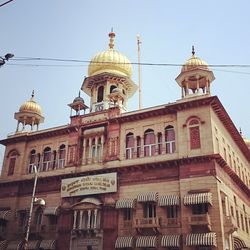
(78, 29)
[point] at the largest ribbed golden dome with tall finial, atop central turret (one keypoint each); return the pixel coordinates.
(111, 61)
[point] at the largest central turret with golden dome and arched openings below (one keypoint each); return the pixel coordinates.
(109, 70)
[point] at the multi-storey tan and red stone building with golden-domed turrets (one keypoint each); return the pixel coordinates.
(174, 176)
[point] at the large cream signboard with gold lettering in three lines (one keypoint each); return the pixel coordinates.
(93, 184)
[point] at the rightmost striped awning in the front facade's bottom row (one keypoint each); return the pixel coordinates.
(202, 239)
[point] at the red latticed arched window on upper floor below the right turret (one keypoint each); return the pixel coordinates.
(194, 133)
